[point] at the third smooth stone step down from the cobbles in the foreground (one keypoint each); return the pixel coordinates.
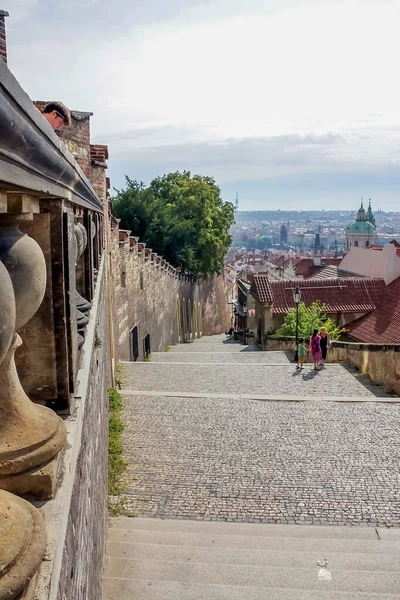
(254, 557)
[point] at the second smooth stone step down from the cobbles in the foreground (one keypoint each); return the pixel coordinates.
(281, 543)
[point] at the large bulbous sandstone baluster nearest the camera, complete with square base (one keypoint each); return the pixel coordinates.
(31, 435)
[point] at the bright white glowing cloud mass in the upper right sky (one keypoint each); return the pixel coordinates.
(314, 68)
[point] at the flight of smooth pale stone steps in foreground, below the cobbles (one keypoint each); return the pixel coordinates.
(154, 559)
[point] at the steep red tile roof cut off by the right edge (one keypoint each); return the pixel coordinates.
(382, 326)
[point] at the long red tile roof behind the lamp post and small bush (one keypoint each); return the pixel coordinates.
(345, 295)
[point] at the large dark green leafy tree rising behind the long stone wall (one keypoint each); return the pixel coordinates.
(181, 217)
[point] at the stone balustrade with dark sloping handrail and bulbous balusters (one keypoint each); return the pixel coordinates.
(51, 240)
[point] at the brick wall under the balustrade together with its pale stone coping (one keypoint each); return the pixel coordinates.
(77, 517)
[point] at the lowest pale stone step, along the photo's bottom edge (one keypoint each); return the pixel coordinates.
(141, 589)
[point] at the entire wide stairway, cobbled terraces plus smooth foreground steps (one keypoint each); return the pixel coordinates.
(194, 554)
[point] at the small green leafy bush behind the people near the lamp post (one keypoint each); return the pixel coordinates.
(310, 318)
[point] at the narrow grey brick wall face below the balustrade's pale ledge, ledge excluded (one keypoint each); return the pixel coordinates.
(82, 560)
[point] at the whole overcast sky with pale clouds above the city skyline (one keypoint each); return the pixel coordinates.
(292, 103)
